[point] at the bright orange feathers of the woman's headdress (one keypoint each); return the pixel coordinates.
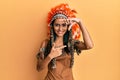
(64, 11)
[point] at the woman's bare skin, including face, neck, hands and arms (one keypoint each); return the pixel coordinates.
(60, 29)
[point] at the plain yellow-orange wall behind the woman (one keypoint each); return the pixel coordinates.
(23, 27)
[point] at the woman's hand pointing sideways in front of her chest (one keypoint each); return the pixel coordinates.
(55, 52)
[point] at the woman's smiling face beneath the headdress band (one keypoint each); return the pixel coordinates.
(60, 27)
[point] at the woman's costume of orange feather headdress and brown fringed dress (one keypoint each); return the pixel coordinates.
(60, 68)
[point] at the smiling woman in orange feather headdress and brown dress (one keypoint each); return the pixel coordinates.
(57, 52)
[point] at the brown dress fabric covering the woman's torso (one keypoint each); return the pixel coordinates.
(62, 70)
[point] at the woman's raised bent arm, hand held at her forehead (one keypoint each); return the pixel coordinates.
(87, 41)
